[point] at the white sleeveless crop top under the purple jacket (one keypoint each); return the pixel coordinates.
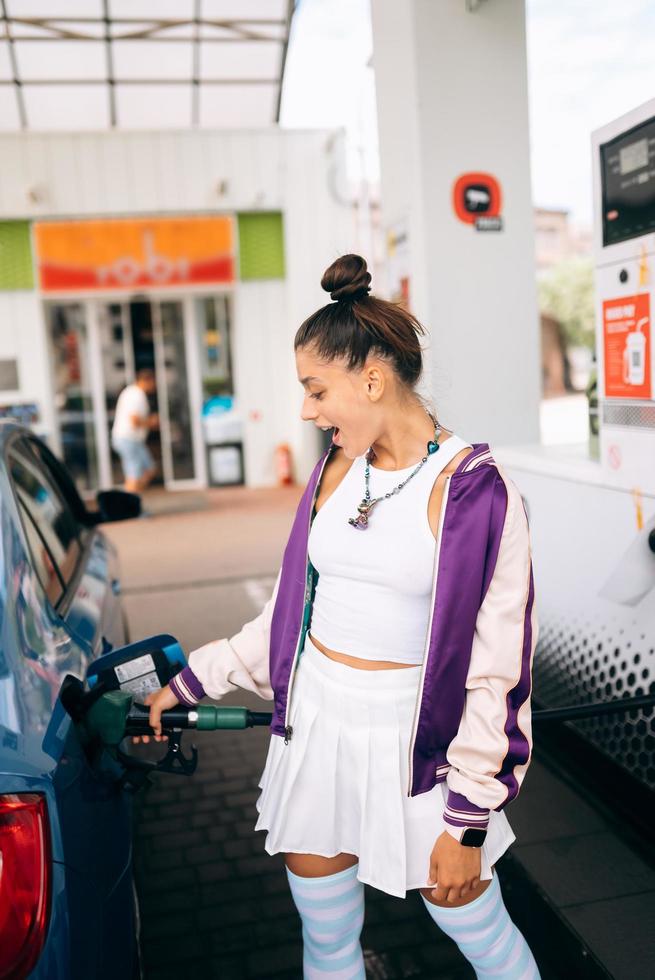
(374, 588)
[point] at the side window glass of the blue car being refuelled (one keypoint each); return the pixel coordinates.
(50, 526)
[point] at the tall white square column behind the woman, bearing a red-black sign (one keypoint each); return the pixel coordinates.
(452, 99)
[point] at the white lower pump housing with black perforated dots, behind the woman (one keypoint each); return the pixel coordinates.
(595, 605)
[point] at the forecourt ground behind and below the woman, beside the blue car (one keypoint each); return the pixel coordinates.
(212, 899)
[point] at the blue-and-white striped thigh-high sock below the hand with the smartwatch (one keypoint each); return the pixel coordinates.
(487, 937)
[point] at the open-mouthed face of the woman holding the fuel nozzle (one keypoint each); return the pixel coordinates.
(340, 399)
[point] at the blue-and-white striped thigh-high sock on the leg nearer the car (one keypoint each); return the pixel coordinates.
(332, 912)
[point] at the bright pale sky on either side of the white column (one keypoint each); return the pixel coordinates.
(589, 61)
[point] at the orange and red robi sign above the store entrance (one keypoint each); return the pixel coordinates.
(126, 253)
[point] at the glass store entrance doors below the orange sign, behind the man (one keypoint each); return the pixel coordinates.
(96, 348)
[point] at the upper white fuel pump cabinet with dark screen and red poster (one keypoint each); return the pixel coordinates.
(624, 256)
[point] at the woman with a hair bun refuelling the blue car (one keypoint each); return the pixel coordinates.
(401, 726)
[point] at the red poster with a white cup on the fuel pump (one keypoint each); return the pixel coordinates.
(627, 347)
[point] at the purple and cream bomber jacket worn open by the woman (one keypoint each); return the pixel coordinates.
(474, 725)
